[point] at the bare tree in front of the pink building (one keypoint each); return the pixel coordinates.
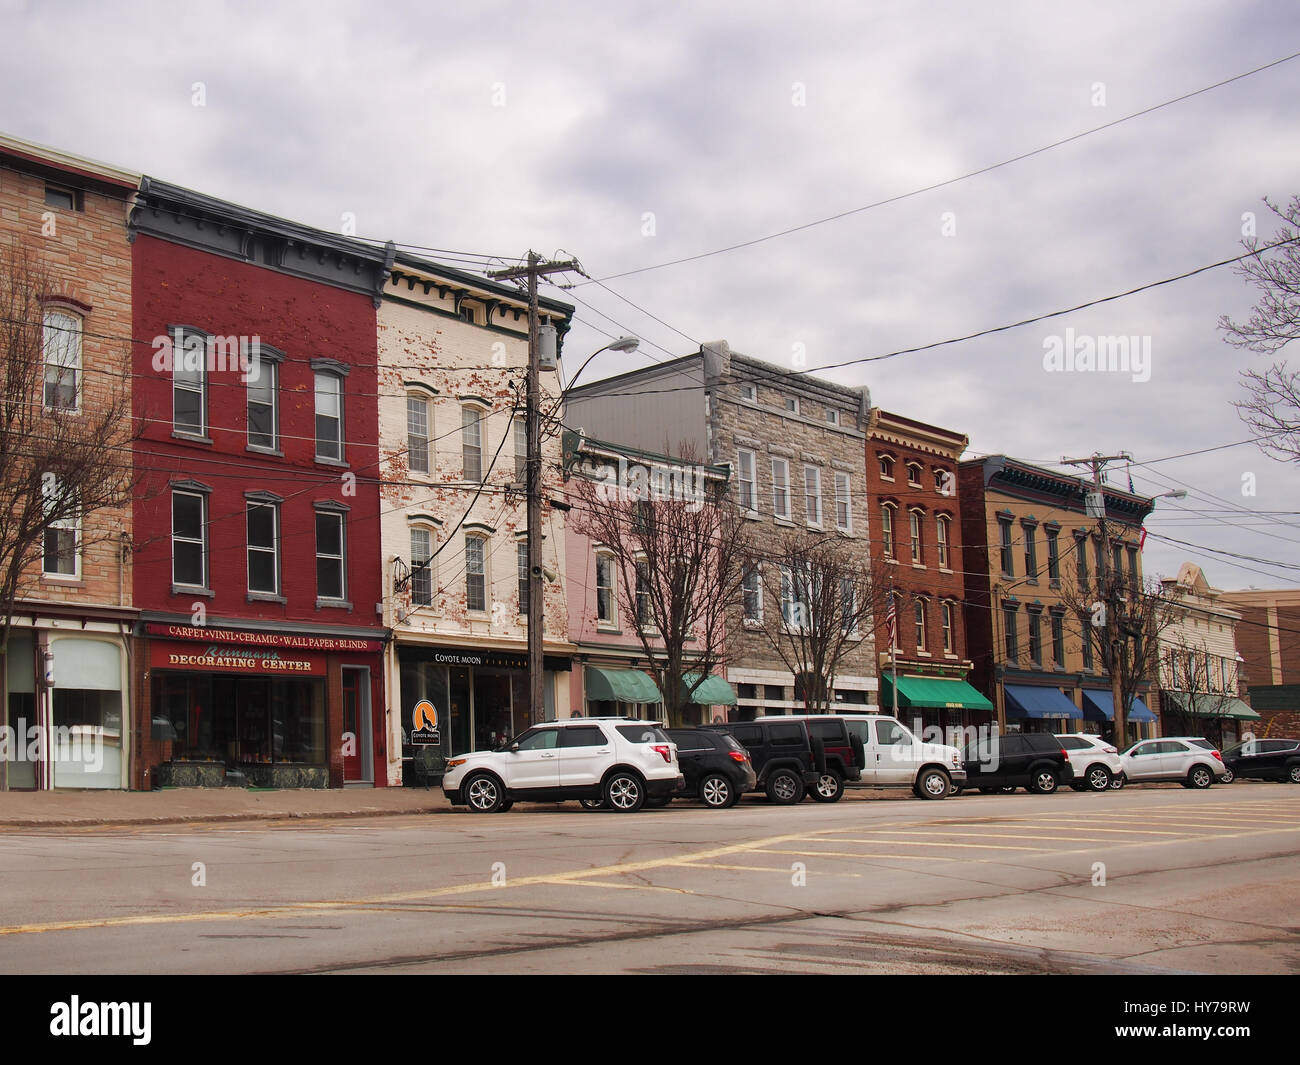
(679, 549)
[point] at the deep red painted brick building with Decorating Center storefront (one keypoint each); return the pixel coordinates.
(257, 565)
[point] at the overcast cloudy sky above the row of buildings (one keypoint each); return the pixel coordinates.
(634, 135)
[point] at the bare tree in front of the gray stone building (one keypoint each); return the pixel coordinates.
(824, 599)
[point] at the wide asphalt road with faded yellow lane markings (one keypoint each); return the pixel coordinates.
(1139, 881)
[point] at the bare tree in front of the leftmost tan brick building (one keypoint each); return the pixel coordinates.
(66, 439)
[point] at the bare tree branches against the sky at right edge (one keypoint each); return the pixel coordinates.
(1272, 408)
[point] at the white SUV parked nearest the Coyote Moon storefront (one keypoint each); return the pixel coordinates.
(619, 761)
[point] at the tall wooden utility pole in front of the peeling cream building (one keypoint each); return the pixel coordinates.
(535, 270)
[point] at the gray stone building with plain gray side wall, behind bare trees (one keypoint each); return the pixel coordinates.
(798, 449)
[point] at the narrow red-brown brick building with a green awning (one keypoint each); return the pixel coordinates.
(913, 495)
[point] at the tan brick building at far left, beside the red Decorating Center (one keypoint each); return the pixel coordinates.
(70, 651)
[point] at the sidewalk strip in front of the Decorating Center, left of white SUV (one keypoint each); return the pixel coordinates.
(187, 806)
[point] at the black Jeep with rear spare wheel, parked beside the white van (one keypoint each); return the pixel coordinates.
(791, 763)
